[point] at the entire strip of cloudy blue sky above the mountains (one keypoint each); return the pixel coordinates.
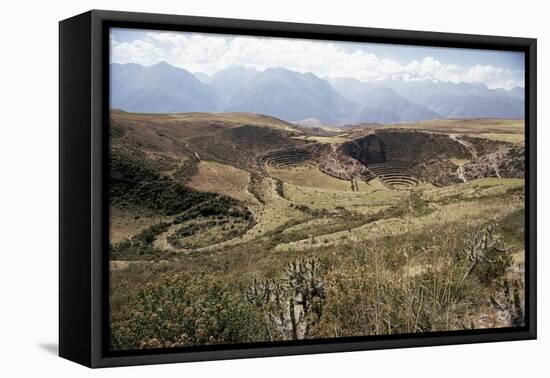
(209, 53)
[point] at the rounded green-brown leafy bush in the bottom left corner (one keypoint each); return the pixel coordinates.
(182, 310)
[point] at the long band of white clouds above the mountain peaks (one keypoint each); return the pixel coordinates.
(210, 53)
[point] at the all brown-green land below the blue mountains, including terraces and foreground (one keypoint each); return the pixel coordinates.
(221, 221)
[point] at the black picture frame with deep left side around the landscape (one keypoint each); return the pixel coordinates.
(84, 214)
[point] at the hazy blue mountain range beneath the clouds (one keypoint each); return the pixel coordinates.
(294, 96)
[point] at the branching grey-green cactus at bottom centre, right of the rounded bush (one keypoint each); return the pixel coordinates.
(294, 302)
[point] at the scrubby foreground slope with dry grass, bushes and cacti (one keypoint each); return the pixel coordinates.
(450, 278)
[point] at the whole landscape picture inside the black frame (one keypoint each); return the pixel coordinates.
(272, 189)
